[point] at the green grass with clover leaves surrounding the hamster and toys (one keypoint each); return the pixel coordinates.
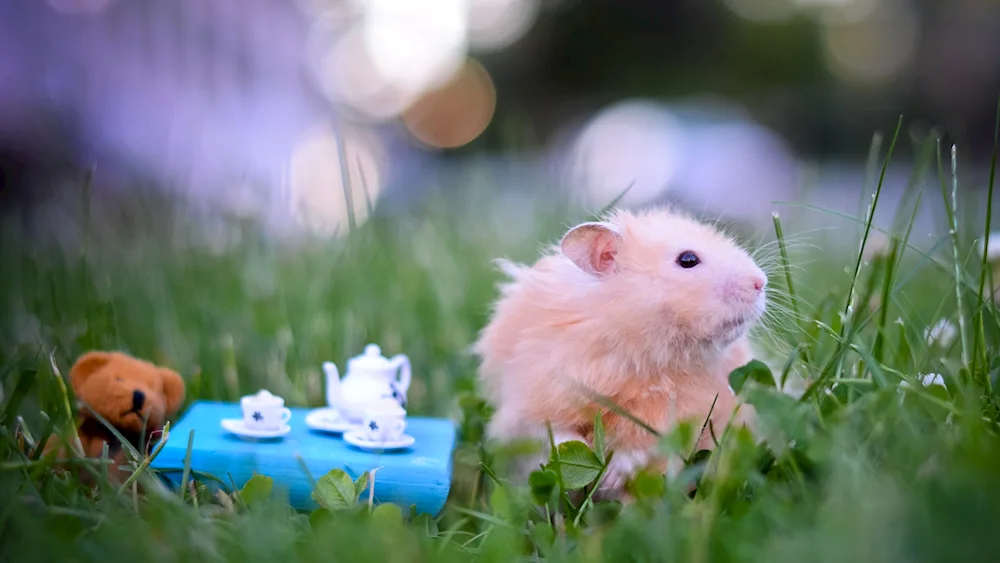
(857, 469)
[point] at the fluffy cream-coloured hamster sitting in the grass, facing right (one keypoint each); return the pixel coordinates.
(651, 309)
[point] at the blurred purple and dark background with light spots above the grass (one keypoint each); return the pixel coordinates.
(300, 112)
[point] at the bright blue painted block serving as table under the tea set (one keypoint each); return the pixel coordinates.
(419, 475)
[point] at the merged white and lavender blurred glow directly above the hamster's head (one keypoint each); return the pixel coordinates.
(707, 155)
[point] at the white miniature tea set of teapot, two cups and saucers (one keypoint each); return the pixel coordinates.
(366, 406)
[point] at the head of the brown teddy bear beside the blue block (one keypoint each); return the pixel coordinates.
(126, 390)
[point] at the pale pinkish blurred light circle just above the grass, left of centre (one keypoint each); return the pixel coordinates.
(318, 194)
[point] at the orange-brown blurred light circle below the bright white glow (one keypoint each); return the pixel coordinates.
(457, 112)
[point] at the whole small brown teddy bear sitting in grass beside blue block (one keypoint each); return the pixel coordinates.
(124, 391)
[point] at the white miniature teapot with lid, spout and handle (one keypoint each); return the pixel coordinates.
(369, 377)
